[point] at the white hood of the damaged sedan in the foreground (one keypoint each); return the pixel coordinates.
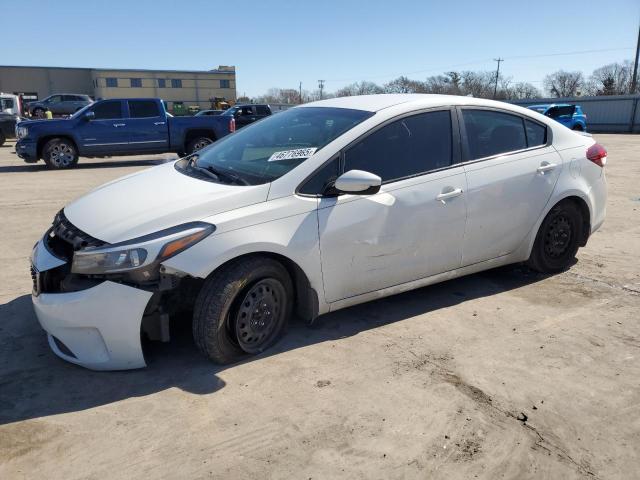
(154, 199)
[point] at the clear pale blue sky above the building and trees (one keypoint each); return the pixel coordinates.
(278, 43)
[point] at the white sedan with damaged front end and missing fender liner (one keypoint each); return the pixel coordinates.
(323, 206)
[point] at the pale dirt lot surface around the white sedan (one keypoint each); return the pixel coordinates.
(504, 374)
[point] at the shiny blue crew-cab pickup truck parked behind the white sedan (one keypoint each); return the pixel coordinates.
(132, 126)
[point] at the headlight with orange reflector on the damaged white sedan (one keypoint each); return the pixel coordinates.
(140, 252)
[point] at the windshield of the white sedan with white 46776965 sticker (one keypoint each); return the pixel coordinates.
(270, 148)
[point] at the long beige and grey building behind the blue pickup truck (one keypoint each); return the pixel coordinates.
(186, 87)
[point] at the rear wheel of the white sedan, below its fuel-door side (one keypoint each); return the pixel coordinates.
(558, 239)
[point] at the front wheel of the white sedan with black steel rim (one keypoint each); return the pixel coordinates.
(222, 326)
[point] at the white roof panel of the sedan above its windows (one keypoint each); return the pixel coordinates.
(375, 103)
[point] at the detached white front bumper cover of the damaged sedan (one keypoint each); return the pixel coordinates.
(98, 327)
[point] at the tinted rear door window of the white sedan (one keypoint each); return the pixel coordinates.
(490, 133)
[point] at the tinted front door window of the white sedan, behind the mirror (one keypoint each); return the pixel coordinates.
(404, 148)
